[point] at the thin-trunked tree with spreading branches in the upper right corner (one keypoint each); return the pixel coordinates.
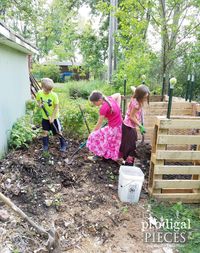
(176, 22)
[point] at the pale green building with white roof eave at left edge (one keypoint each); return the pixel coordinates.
(14, 80)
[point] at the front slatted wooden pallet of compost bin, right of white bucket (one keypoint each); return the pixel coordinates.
(175, 160)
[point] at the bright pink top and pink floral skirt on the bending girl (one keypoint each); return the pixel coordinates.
(106, 141)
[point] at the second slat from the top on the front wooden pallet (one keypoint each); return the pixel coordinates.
(179, 139)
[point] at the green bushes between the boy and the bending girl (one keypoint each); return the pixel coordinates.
(70, 114)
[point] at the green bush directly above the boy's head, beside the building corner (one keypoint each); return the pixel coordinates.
(51, 71)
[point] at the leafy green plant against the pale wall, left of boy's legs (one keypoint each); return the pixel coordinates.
(21, 133)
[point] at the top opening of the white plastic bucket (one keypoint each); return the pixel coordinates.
(131, 172)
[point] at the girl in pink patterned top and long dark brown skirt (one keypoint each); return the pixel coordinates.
(132, 120)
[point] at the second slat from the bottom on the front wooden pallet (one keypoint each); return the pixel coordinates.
(187, 184)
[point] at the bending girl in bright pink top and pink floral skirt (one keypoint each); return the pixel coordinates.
(105, 142)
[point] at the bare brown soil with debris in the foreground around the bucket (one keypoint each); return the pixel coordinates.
(80, 199)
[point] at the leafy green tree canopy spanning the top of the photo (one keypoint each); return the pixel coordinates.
(59, 33)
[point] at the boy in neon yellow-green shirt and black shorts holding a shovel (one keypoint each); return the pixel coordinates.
(49, 99)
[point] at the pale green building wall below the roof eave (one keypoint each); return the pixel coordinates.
(14, 90)
